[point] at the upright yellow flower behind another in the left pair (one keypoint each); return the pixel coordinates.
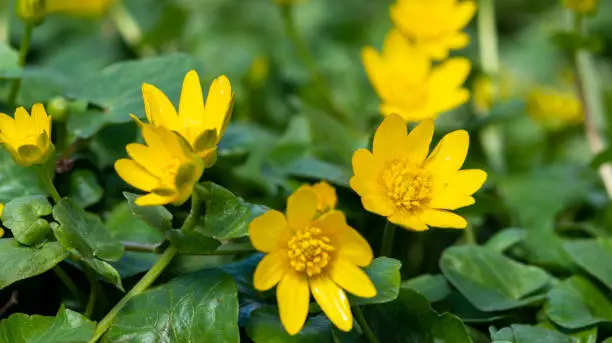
(201, 126)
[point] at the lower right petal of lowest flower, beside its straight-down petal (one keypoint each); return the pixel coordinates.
(333, 302)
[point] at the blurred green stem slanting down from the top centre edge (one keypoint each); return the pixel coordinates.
(309, 62)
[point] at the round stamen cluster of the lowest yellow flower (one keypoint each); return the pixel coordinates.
(309, 251)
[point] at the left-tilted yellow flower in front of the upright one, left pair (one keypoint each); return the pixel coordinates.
(165, 167)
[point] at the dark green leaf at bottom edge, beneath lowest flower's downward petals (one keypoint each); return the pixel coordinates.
(265, 327)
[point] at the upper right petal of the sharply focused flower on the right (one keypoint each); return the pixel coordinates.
(449, 155)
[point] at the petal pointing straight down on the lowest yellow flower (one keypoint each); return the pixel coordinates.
(293, 298)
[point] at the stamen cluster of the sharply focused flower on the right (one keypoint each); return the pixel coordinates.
(409, 187)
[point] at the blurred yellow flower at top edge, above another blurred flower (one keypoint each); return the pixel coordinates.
(434, 25)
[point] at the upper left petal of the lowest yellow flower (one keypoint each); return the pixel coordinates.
(267, 230)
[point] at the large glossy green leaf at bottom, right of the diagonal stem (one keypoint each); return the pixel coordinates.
(198, 307)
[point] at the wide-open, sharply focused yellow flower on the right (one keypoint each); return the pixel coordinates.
(399, 181)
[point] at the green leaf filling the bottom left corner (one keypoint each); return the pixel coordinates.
(67, 327)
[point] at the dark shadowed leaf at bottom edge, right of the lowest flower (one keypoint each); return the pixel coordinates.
(388, 321)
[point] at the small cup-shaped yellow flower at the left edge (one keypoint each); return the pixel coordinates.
(27, 138)
